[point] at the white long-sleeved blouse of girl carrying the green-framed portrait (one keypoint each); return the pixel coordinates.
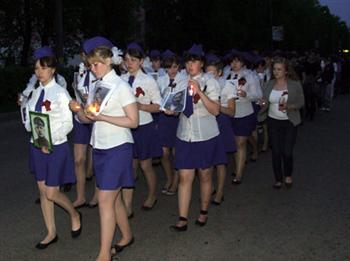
(58, 110)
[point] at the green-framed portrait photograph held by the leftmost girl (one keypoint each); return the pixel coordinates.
(41, 132)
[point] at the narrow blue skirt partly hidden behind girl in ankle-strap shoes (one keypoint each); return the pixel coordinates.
(227, 136)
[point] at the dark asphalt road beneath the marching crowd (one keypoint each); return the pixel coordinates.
(309, 222)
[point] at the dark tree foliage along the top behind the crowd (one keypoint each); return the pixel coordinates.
(174, 24)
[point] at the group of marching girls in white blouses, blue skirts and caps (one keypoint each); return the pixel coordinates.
(218, 118)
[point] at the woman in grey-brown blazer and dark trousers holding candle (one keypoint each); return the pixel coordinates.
(284, 98)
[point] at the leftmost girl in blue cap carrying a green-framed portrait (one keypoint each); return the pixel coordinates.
(55, 168)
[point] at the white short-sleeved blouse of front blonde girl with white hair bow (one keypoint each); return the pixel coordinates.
(106, 135)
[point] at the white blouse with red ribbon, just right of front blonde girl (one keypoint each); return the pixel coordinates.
(146, 91)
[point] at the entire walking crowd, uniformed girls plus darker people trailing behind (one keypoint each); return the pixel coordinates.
(232, 104)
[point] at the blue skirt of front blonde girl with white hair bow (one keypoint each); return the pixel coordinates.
(113, 167)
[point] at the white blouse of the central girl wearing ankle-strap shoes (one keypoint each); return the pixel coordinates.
(201, 125)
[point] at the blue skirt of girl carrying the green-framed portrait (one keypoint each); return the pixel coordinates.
(56, 168)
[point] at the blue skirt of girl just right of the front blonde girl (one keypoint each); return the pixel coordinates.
(146, 142)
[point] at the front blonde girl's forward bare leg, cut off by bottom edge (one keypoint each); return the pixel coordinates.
(106, 203)
